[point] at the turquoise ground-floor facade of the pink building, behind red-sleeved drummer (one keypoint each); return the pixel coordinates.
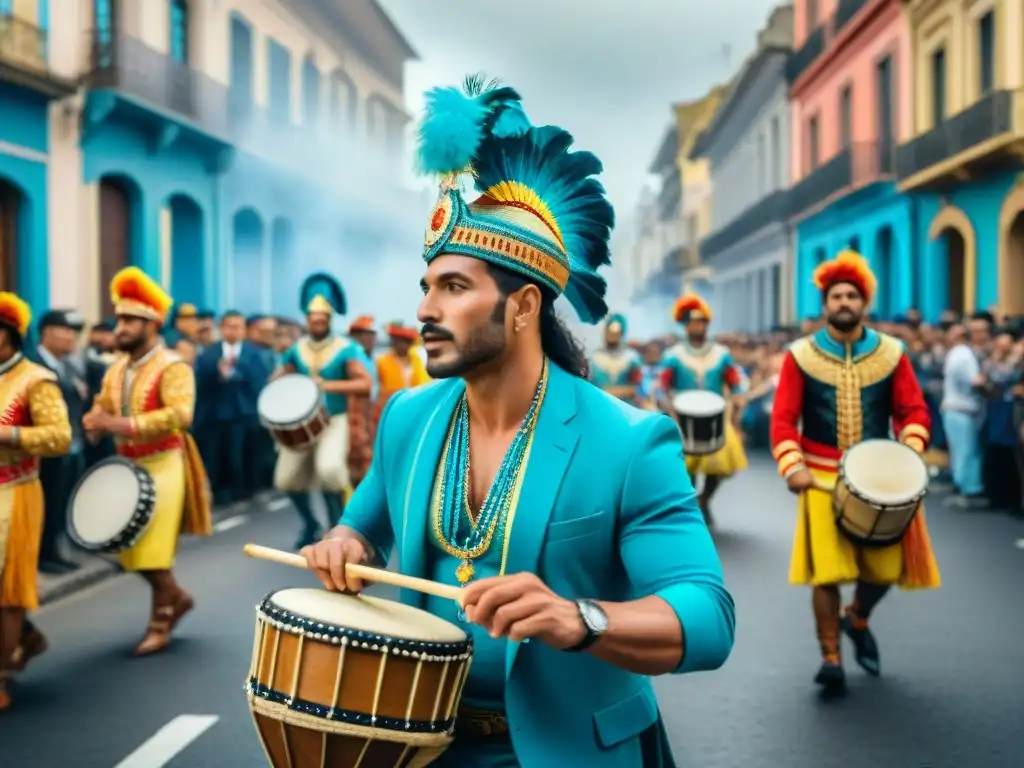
(879, 223)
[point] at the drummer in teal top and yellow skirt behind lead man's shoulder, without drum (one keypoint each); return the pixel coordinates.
(698, 364)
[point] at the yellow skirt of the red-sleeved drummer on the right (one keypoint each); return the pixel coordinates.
(822, 556)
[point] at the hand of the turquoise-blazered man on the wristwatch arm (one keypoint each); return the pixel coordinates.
(521, 608)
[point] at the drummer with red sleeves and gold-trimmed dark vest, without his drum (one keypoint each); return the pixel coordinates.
(846, 383)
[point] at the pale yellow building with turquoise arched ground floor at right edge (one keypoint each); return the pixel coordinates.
(968, 124)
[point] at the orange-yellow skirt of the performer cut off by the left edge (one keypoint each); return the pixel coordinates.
(22, 507)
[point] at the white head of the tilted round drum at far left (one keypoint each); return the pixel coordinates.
(105, 503)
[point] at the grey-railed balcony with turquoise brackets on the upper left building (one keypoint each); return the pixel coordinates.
(151, 86)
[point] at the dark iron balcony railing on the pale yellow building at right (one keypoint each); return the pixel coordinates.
(991, 117)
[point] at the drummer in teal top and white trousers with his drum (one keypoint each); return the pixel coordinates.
(307, 408)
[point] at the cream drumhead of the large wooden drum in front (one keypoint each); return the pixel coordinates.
(369, 615)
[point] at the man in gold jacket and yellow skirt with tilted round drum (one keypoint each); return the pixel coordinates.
(147, 404)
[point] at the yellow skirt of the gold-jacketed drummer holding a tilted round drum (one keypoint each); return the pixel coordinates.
(156, 550)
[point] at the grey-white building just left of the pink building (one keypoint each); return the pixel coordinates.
(748, 150)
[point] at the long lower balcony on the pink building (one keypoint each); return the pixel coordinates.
(861, 165)
